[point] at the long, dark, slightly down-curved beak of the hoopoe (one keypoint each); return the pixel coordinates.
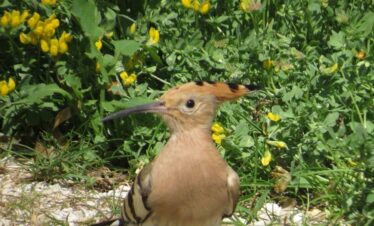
(146, 108)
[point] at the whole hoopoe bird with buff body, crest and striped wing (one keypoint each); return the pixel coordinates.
(188, 183)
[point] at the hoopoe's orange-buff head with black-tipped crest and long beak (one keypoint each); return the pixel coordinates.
(191, 105)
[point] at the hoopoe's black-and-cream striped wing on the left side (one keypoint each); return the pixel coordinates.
(135, 206)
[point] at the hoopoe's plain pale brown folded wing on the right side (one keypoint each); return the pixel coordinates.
(233, 191)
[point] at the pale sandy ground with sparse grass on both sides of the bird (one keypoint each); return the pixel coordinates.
(27, 202)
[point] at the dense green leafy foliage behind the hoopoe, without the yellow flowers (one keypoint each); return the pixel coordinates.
(313, 59)
